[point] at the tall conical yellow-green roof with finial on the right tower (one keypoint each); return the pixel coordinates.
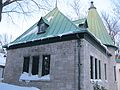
(96, 26)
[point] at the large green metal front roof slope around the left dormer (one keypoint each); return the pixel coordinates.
(58, 23)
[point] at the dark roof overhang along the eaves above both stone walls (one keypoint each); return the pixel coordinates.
(73, 36)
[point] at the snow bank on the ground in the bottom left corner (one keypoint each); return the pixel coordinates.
(4, 86)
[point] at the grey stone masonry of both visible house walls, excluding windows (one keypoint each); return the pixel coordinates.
(63, 66)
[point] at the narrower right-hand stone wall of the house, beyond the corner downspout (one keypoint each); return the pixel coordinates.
(93, 50)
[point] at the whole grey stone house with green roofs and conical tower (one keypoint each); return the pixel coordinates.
(59, 54)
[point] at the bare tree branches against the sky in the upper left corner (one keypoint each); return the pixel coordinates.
(24, 7)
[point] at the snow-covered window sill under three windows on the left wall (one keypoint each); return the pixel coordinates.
(25, 77)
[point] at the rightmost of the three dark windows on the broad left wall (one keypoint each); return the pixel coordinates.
(46, 65)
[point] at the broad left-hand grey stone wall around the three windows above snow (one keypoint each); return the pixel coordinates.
(62, 69)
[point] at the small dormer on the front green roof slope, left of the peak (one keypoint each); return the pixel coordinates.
(42, 25)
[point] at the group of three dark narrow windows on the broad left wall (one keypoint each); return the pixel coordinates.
(31, 65)
